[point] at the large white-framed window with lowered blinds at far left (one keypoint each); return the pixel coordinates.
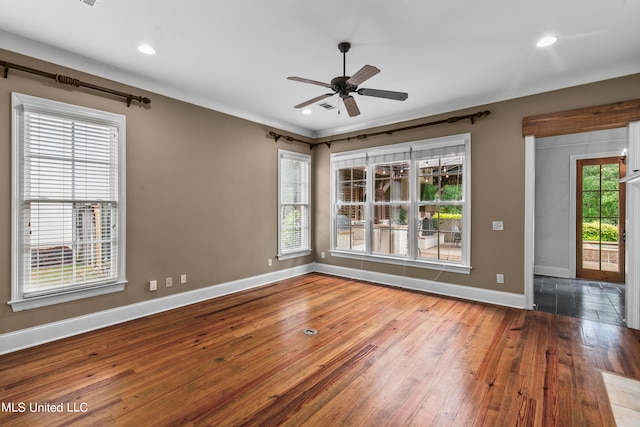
(68, 229)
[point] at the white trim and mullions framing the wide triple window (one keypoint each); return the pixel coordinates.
(361, 157)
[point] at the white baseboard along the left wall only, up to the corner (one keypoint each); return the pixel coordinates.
(41, 334)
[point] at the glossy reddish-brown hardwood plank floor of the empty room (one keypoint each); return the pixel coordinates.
(381, 357)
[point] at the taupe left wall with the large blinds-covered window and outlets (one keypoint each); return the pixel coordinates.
(201, 194)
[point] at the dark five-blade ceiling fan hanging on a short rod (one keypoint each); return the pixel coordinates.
(346, 85)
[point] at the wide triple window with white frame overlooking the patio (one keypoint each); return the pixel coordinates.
(407, 203)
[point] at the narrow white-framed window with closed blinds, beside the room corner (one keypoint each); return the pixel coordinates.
(294, 172)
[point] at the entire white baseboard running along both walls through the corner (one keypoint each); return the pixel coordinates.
(41, 334)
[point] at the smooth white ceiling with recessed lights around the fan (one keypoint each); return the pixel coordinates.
(235, 56)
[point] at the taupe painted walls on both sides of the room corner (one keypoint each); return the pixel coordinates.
(202, 190)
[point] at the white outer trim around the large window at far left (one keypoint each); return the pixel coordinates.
(18, 300)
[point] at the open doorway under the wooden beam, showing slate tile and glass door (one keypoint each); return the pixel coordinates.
(561, 164)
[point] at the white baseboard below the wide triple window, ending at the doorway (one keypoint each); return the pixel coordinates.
(447, 289)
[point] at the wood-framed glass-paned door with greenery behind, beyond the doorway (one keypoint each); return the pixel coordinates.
(600, 210)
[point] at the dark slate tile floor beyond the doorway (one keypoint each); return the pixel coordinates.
(585, 299)
